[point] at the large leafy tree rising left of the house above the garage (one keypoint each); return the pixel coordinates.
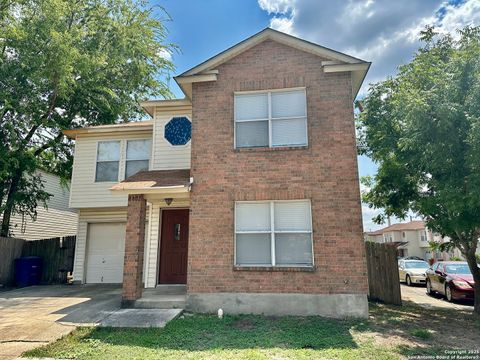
(66, 64)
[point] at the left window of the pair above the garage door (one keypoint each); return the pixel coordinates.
(108, 160)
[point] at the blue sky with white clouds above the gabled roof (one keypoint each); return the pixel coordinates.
(384, 32)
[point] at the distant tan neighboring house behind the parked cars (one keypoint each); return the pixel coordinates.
(413, 239)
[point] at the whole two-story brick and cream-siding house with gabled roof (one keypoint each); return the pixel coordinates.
(246, 190)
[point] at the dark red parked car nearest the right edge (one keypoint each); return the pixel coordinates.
(452, 279)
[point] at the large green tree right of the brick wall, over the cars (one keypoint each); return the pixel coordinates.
(422, 128)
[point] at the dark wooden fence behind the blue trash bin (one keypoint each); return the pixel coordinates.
(57, 257)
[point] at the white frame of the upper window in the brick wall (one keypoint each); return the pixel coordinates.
(270, 118)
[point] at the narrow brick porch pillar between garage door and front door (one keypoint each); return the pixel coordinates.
(134, 249)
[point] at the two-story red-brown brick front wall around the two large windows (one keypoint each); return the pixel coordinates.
(325, 172)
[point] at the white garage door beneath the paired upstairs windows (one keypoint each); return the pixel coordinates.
(105, 252)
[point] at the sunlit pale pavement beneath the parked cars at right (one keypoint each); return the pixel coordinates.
(418, 295)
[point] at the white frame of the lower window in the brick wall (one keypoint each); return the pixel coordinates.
(272, 233)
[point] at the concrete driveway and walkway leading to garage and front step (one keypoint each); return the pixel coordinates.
(34, 316)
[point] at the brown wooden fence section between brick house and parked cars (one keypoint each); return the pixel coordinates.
(383, 279)
